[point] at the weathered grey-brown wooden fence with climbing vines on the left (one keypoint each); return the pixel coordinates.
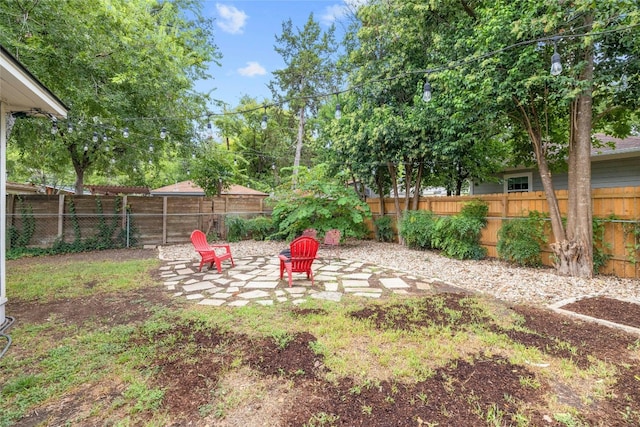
(151, 220)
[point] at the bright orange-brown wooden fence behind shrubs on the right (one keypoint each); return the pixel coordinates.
(619, 206)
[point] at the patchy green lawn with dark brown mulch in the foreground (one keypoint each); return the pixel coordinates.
(101, 349)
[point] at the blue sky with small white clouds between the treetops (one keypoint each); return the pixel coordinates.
(245, 32)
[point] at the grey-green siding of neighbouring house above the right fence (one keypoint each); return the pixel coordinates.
(624, 172)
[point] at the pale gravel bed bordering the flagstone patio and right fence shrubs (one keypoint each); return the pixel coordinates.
(515, 284)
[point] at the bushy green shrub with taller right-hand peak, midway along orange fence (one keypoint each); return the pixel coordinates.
(458, 236)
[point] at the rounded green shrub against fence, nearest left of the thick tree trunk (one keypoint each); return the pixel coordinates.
(520, 240)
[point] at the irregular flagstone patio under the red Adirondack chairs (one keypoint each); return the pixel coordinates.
(256, 280)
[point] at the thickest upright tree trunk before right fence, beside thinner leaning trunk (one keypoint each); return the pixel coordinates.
(575, 253)
